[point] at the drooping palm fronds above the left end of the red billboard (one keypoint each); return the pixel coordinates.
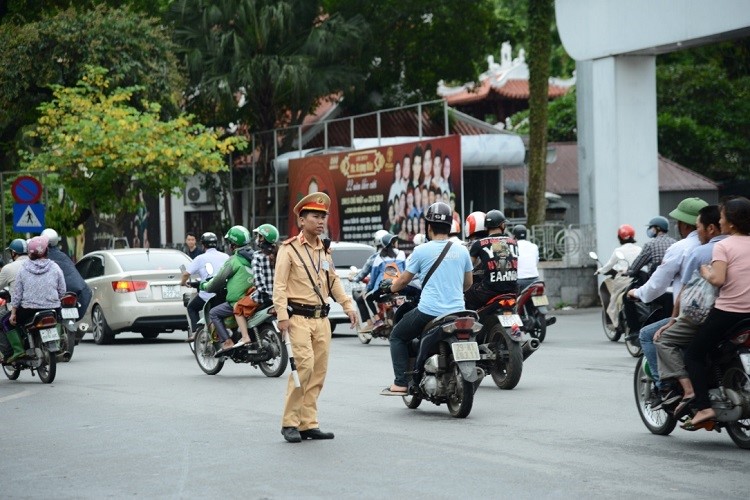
(281, 57)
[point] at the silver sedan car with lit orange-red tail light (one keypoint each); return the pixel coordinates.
(134, 290)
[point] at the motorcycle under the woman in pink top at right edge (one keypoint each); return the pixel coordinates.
(729, 395)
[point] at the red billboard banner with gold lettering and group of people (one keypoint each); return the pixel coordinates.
(386, 187)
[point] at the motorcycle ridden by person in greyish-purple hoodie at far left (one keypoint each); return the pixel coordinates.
(41, 340)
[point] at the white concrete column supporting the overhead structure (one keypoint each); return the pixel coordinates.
(617, 154)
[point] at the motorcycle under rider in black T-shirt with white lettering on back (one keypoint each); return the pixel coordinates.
(503, 341)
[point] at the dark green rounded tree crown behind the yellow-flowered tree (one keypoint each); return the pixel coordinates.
(137, 51)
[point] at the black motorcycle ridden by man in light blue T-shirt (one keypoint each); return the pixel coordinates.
(444, 363)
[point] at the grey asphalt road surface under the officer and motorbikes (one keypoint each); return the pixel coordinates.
(139, 419)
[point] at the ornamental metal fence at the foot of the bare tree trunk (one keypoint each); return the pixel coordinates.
(569, 244)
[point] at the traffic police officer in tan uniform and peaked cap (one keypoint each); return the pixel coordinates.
(305, 277)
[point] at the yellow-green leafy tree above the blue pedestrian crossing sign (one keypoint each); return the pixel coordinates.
(104, 152)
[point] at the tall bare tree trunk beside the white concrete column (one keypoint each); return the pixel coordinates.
(540, 15)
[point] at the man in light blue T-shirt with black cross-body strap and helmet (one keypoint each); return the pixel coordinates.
(442, 294)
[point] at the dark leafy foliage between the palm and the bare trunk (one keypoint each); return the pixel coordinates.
(412, 45)
